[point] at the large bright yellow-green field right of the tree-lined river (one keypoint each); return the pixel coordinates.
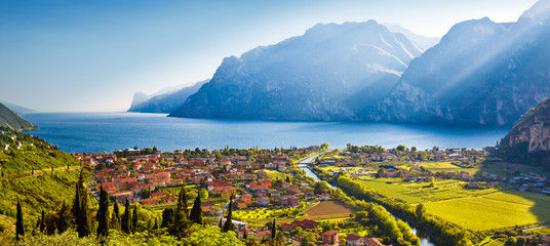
(478, 210)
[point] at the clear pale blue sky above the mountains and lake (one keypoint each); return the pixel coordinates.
(93, 55)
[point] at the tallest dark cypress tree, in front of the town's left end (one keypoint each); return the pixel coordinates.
(80, 207)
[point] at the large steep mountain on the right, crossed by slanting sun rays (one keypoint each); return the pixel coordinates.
(481, 73)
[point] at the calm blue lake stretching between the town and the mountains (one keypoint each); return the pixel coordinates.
(105, 132)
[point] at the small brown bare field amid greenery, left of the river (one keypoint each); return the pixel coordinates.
(327, 210)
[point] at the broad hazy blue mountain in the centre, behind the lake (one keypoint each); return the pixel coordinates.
(330, 72)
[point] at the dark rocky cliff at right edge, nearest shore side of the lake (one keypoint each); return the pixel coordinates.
(529, 139)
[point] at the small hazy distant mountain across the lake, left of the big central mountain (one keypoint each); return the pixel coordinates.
(165, 101)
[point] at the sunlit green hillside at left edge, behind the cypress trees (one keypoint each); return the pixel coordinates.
(35, 173)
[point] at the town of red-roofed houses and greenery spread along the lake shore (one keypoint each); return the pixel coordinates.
(269, 187)
